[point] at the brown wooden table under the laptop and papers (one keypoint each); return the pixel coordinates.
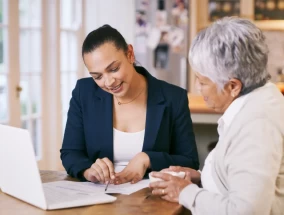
(135, 203)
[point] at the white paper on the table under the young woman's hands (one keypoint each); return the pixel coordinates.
(89, 187)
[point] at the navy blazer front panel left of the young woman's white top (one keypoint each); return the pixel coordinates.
(103, 123)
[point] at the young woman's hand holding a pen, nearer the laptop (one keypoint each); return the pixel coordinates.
(102, 170)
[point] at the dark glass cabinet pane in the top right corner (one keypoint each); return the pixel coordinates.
(269, 10)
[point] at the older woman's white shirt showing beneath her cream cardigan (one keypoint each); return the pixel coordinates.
(224, 122)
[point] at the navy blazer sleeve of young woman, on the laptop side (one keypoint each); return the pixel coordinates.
(73, 152)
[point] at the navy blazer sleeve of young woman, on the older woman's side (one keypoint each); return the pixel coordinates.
(183, 151)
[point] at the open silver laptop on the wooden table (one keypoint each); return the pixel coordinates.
(20, 176)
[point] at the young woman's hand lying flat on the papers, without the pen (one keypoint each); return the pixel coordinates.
(135, 169)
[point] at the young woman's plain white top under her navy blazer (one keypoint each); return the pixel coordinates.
(125, 147)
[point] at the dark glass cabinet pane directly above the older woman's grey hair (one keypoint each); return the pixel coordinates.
(220, 8)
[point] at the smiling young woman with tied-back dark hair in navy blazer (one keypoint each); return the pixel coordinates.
(123, 122)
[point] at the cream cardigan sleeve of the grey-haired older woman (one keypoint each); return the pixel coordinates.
(252, 165)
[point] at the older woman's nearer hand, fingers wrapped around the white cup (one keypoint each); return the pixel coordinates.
(171, 186)
